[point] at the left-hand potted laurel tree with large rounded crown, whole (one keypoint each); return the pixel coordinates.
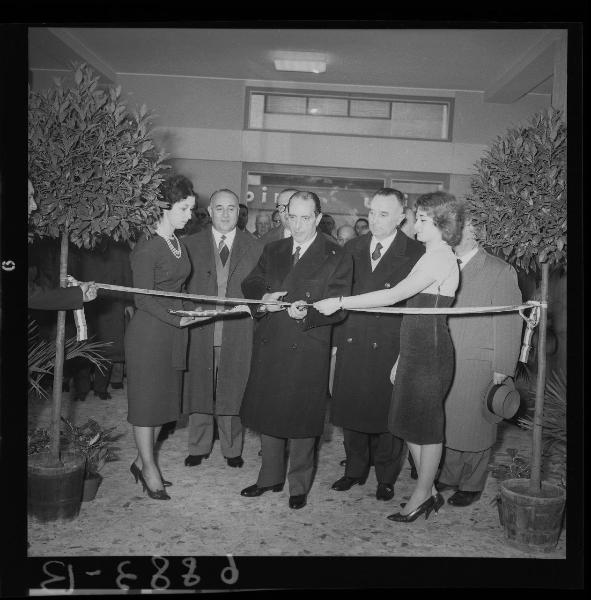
(96, 172)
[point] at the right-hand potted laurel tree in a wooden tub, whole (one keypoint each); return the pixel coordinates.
(518, 202)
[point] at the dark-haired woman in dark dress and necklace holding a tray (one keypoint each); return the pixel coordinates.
(156, 341)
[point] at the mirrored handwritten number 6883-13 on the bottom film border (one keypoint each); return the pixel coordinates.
(159, 581)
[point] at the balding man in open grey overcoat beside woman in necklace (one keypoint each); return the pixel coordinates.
(219, 350)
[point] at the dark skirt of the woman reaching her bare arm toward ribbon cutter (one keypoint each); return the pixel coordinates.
(424, 374)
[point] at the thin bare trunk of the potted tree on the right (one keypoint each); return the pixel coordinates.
(536, 465)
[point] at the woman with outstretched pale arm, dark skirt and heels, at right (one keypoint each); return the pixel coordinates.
(423, 372)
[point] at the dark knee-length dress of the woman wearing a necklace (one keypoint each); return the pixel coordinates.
(155, 344)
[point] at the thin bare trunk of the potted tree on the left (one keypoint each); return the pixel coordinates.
(58, 371)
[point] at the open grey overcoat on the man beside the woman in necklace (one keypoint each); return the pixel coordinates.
(235, 355)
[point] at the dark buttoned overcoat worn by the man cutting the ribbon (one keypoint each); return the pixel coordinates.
(288, 385)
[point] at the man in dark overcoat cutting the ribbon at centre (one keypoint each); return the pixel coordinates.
(286, 395)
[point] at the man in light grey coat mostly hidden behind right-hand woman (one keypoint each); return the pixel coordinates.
(486, 348)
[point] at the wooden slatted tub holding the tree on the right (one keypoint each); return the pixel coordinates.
(532, 523)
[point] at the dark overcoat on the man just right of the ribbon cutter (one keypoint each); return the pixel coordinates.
(368, 343)
